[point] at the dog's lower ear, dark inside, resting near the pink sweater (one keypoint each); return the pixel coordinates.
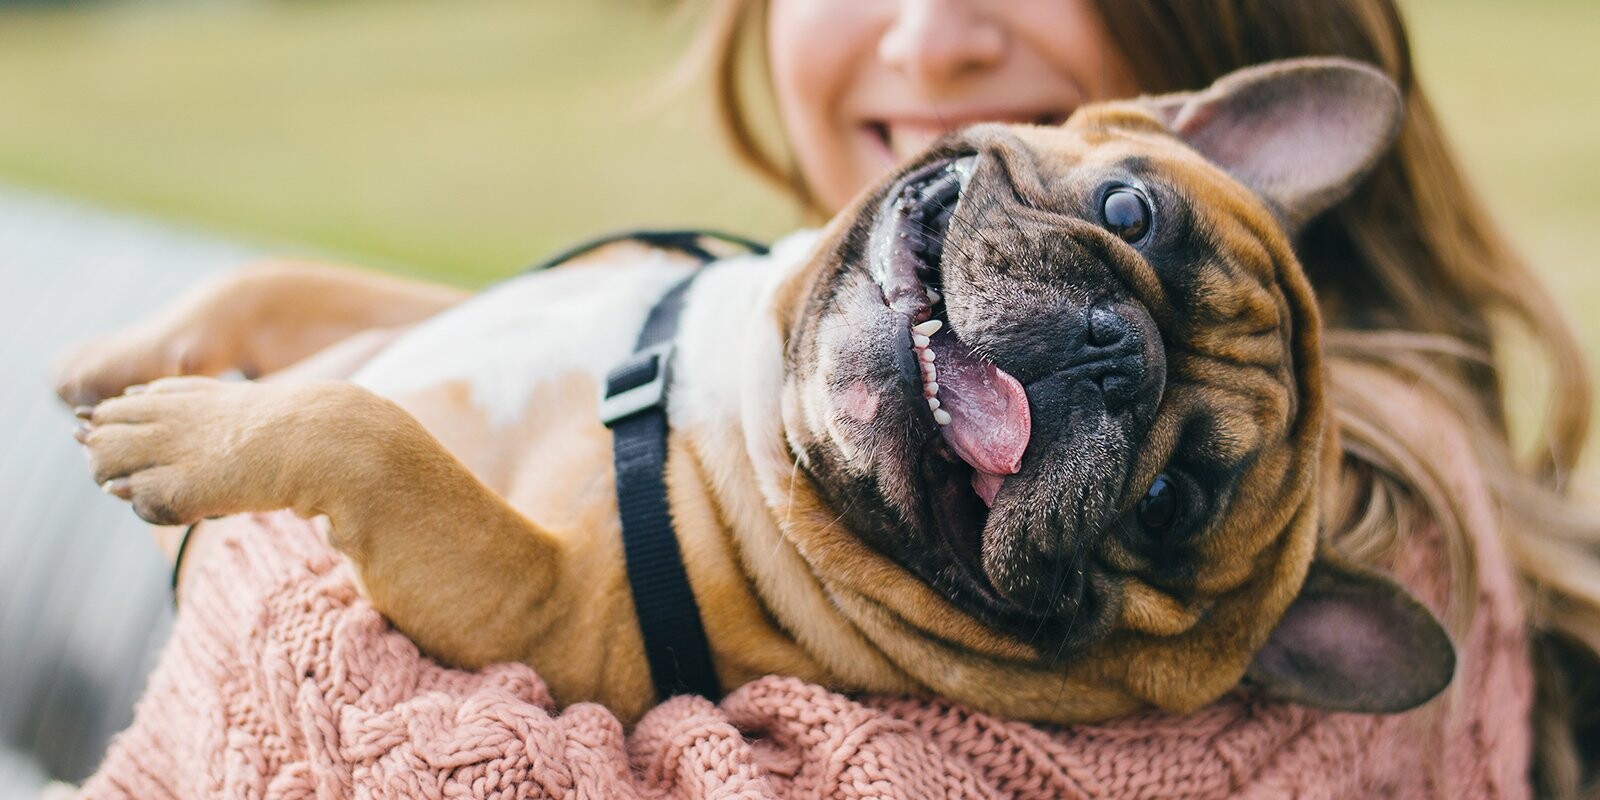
(1354, 641)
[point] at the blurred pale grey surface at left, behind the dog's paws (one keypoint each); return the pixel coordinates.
(84, 601)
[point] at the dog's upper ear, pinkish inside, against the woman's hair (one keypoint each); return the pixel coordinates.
(1300, 132)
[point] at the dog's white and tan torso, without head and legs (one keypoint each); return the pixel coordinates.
(521, 415)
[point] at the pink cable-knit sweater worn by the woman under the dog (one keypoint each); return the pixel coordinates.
(281, 682)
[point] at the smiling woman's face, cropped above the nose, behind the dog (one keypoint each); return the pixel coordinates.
(863, 84)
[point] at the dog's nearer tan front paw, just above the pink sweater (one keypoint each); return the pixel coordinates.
(183, 449)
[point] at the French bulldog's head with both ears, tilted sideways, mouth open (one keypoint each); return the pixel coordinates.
(1070, 380)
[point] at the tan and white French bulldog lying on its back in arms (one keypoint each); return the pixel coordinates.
(1038, 425)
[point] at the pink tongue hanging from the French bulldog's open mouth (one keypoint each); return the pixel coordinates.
(990, 418)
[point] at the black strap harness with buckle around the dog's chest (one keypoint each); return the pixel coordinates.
(636, 410)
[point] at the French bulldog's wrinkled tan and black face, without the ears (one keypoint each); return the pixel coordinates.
(1121, 386)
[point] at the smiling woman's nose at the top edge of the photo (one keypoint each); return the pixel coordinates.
(935, 42)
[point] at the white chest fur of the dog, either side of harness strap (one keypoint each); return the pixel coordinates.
(511, 380)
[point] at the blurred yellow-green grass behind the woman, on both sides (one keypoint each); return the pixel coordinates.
(465, 140)
